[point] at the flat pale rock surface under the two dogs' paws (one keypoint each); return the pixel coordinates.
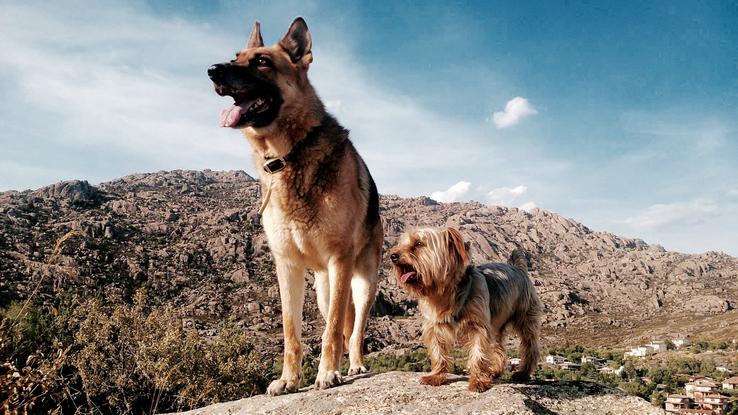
(401, 393)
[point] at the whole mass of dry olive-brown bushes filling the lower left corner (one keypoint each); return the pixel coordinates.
(120, 359)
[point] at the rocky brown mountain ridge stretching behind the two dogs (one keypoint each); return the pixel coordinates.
(193, 239)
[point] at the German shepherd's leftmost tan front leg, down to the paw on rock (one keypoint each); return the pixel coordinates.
(292, 293)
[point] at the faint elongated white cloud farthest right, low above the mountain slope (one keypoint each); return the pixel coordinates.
(660, 215)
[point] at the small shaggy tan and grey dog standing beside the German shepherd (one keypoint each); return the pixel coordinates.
(476, 302)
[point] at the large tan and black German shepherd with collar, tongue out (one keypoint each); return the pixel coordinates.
(320, 204)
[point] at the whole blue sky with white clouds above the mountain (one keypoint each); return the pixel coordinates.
(621, 115)
